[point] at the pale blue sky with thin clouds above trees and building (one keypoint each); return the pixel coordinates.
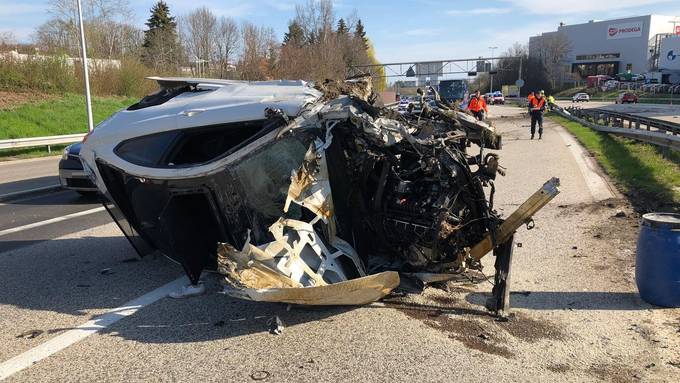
(412, 30)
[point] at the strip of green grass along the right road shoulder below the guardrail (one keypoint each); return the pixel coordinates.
(647, 174)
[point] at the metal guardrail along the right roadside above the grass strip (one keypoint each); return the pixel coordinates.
(649, 130)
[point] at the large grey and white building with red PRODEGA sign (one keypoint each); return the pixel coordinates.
(608, 47)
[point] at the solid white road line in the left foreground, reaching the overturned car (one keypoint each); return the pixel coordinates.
(60, 342)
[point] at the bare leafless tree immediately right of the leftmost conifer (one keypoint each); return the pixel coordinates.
(199, 31)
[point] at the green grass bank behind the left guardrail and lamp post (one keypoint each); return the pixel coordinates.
(65, 115)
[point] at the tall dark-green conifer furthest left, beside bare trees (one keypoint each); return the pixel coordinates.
(161, 46)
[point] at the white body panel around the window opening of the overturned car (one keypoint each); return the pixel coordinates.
(223, 101)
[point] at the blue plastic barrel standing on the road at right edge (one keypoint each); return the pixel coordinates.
(657, 269)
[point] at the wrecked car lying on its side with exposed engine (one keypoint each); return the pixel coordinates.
(305, 194)
